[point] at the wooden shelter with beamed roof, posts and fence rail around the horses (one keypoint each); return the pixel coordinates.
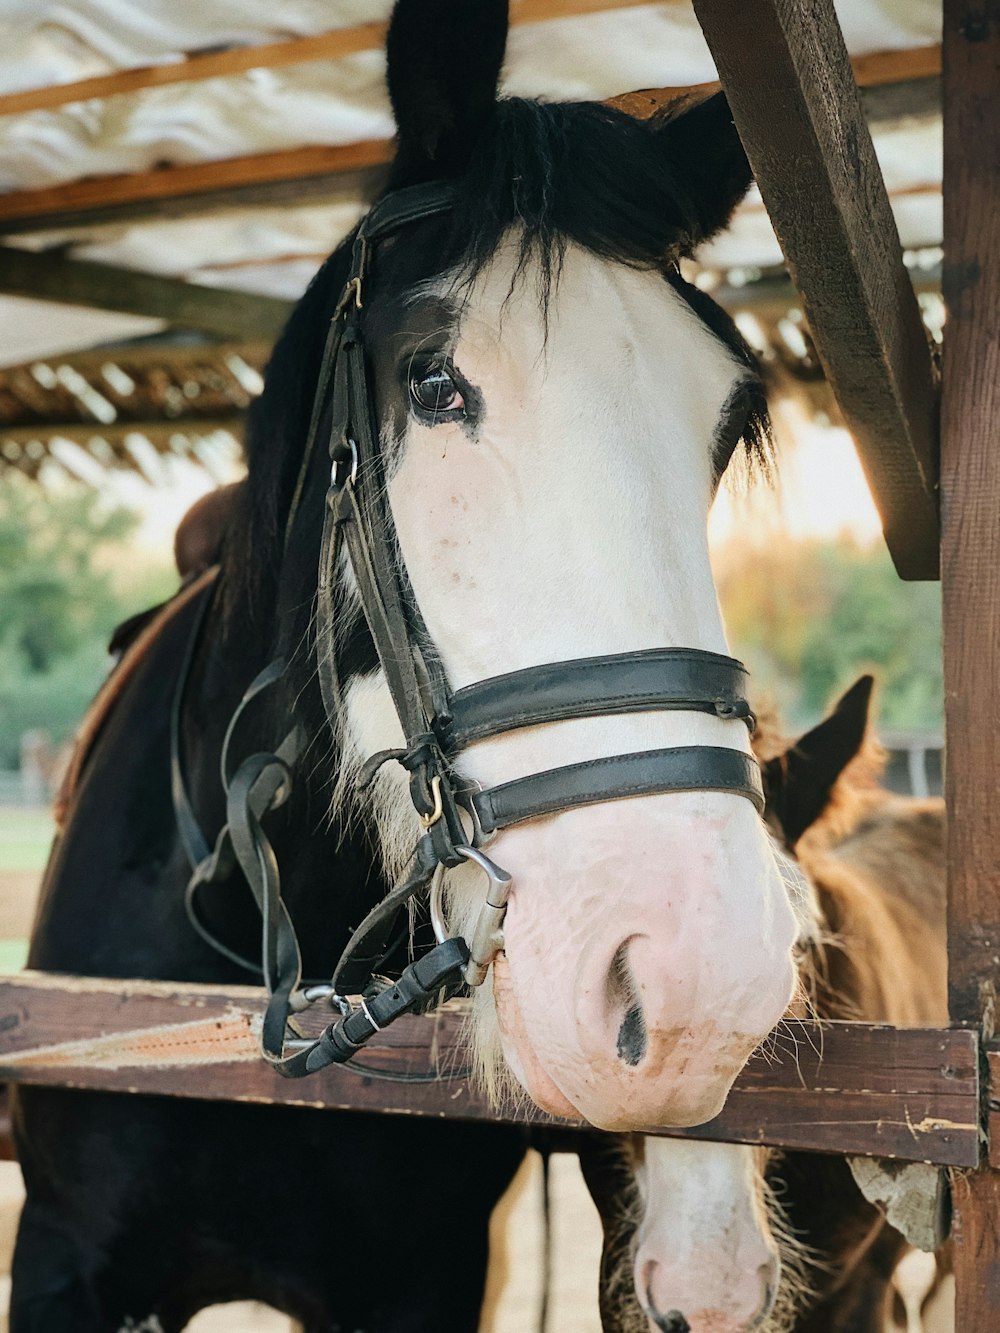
(927, 443)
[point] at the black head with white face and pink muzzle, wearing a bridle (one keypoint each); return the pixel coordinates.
(553, 406)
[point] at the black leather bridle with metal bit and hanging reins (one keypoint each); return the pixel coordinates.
(457, 816)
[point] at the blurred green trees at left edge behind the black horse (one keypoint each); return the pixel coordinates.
(67, 578)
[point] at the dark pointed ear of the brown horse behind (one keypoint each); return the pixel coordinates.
(799, 783)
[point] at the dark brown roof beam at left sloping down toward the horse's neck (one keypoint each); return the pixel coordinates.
(211, 310)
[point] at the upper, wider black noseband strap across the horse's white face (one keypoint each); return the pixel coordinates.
(686, 679)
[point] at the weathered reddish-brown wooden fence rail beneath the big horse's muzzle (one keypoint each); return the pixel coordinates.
(834, 1087)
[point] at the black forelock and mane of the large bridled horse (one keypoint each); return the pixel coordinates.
(551, 174)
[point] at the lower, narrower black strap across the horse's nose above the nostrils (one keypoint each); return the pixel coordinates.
(683, 768)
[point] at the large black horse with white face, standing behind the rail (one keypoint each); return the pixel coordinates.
(555, 409)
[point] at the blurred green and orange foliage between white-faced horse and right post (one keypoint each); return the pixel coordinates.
(810, 617)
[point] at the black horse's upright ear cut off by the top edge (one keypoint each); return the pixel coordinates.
(445, 61)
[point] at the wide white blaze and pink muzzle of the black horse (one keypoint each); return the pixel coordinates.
(574, 525)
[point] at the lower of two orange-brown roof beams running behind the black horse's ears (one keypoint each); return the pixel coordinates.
(341, 174)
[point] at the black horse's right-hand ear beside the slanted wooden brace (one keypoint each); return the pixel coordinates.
(709, 157)
